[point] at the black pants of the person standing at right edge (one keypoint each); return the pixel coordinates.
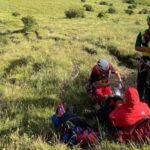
(142, 87)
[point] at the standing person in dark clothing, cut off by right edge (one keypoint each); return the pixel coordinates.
(143, 46)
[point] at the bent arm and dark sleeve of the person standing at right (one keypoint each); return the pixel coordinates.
(138, 45)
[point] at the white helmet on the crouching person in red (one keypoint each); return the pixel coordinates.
(103, 64)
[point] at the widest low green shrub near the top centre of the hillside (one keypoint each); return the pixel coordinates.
(74, 13)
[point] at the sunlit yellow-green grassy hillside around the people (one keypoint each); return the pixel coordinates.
(37, 72)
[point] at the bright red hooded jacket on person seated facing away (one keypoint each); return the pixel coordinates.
(131, 112)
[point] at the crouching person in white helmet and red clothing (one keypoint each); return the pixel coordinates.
(99, 83)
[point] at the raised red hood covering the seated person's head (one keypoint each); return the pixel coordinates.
(132, 97)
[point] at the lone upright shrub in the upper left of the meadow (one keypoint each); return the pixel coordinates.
(30, 24)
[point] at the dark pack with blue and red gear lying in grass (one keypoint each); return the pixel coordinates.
(74, 129)
